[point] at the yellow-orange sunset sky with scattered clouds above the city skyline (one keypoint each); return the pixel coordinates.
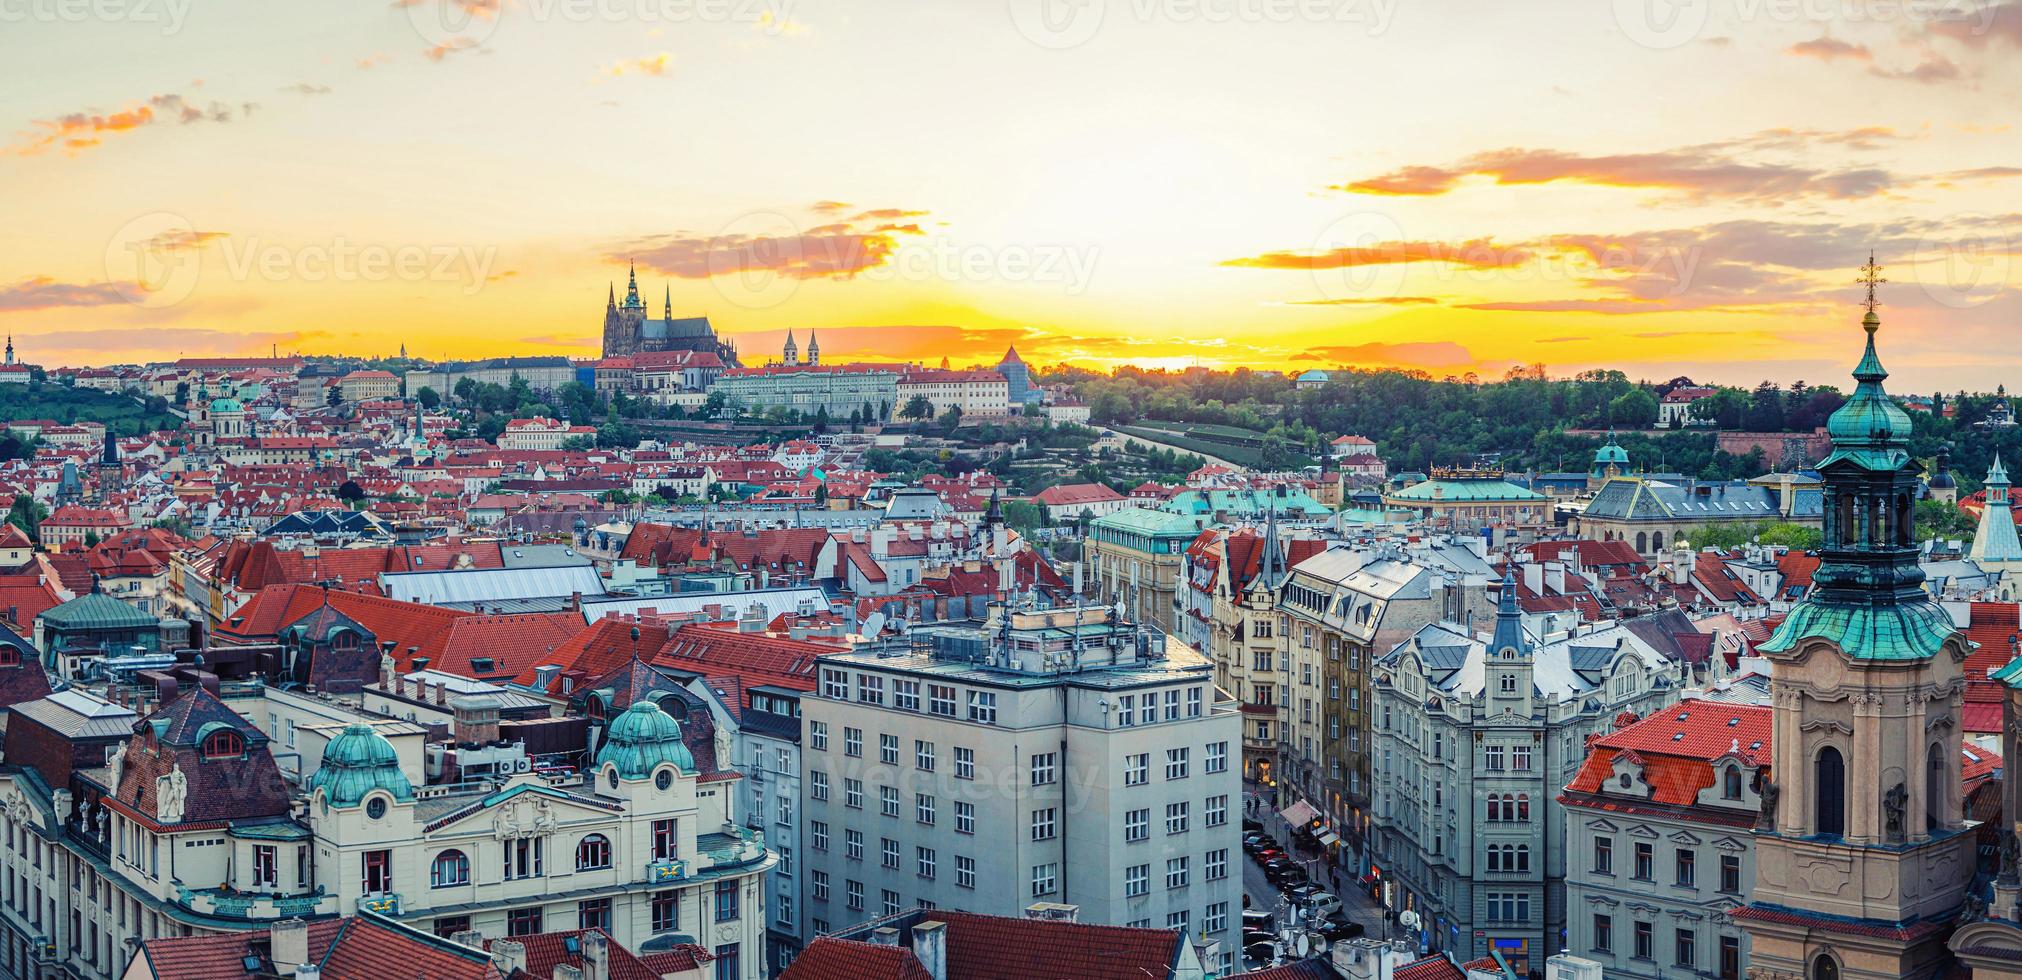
(1661, 187)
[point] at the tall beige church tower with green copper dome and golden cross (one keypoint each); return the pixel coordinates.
(1861, 852)
